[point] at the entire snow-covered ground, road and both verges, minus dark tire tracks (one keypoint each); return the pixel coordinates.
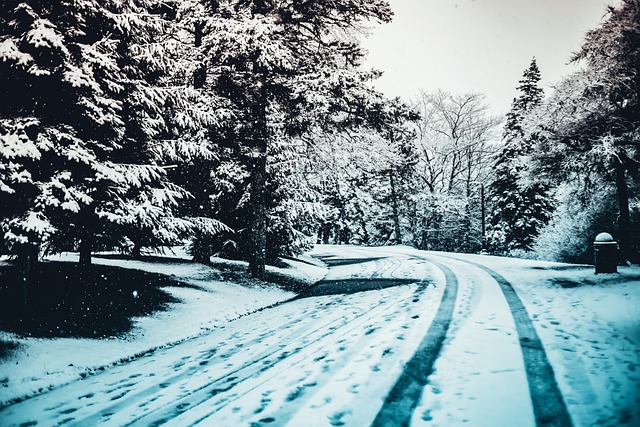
(333, 359)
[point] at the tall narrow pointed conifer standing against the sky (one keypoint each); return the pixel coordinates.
(519, 209)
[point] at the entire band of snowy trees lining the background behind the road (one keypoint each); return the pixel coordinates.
(249, 129)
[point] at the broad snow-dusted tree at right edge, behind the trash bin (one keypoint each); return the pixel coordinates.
(588, 128)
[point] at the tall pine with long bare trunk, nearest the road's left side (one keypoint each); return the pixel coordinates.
(288, 67)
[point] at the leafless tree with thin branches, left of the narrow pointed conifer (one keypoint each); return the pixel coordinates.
(455, 144)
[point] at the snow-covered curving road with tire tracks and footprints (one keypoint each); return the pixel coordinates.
(392, 336)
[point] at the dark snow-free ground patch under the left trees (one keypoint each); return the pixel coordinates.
(66, 300)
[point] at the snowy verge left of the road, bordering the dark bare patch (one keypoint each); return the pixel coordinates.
(37, 364)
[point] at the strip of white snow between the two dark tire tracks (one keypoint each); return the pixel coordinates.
(484, 336)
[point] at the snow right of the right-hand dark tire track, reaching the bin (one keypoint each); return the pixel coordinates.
(591, 332)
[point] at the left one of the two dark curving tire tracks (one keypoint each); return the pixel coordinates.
(405, 395)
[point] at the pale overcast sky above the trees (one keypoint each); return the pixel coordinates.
(478, 45)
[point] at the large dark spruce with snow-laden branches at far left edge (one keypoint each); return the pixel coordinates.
(86, 90)
